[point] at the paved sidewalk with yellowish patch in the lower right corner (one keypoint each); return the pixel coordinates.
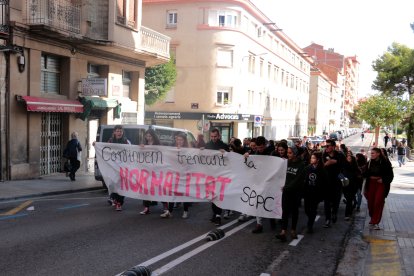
(389, 251)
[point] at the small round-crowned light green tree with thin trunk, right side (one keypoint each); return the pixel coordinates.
(380, 110)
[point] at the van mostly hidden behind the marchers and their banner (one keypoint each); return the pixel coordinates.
(135, 134)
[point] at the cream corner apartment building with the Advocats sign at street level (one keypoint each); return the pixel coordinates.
(237, 71)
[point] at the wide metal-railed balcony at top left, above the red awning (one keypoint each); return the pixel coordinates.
(63, 15)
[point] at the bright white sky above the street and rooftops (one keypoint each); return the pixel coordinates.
(365, 28)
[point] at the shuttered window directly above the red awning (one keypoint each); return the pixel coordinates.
(50, 74)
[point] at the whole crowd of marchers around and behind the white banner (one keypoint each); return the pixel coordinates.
(317, 174)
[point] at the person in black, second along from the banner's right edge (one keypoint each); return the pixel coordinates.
(315, 178)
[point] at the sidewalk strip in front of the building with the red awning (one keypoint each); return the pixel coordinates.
(47, 185)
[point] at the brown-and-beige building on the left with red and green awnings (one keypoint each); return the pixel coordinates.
(69, 65)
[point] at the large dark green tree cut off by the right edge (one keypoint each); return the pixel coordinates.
(395, 77)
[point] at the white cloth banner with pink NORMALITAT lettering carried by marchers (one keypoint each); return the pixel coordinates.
(251, 186)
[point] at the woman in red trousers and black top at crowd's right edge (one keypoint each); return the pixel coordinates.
(379, 175)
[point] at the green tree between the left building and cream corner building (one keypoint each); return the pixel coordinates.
(159, 80)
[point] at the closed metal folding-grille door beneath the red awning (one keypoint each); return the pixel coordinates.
(51, 141)
